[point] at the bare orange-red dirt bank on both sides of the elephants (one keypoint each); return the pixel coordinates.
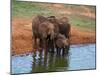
(22, 36)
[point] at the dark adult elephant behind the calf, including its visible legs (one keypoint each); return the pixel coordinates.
(63, 27)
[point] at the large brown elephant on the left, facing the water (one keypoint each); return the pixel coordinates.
(42, 30)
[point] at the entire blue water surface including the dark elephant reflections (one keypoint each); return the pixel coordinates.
(80, 57)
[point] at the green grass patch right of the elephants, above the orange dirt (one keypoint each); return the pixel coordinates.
(82, 22)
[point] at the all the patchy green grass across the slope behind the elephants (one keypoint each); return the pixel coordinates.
(29, 9)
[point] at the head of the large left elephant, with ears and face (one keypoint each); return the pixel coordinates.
(46, 30)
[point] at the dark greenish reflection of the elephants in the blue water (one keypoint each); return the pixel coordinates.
(49, 62)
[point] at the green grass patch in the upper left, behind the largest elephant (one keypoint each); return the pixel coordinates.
(29, 9)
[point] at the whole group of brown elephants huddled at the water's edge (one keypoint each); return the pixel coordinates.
(51, 32)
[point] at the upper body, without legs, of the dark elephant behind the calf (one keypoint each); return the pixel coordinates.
(62, 24)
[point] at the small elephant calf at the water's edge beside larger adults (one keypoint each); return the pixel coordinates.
(61, 42)
